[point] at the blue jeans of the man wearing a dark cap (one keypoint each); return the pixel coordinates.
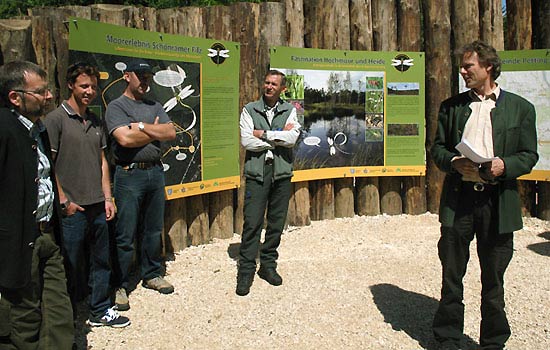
(139, 195)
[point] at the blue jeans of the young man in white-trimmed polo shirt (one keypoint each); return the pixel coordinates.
(75, 230)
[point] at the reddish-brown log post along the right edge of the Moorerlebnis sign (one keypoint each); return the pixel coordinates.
(246, 30)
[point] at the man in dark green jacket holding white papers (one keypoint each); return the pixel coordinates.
(480, 198)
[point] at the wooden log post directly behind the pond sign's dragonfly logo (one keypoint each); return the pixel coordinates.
(409, 27)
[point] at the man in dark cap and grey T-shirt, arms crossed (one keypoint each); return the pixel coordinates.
(137, 125)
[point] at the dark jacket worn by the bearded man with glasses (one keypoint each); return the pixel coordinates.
(19, 193)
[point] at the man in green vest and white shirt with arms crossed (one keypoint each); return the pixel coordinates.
(269, 129)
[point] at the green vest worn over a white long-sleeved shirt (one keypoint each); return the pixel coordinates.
(282, 156)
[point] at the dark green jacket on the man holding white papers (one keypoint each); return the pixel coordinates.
(514, 141)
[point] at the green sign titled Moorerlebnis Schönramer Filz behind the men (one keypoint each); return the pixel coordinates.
(197, 82)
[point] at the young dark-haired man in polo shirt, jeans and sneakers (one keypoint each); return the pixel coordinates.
(78, 141)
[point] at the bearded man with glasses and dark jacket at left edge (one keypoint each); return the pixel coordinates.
(35, 310)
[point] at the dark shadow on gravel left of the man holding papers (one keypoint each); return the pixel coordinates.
(409, 312)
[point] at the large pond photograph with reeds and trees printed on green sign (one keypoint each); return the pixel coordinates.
(337, 110)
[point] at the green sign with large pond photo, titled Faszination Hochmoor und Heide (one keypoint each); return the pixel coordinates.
(362, 112)
